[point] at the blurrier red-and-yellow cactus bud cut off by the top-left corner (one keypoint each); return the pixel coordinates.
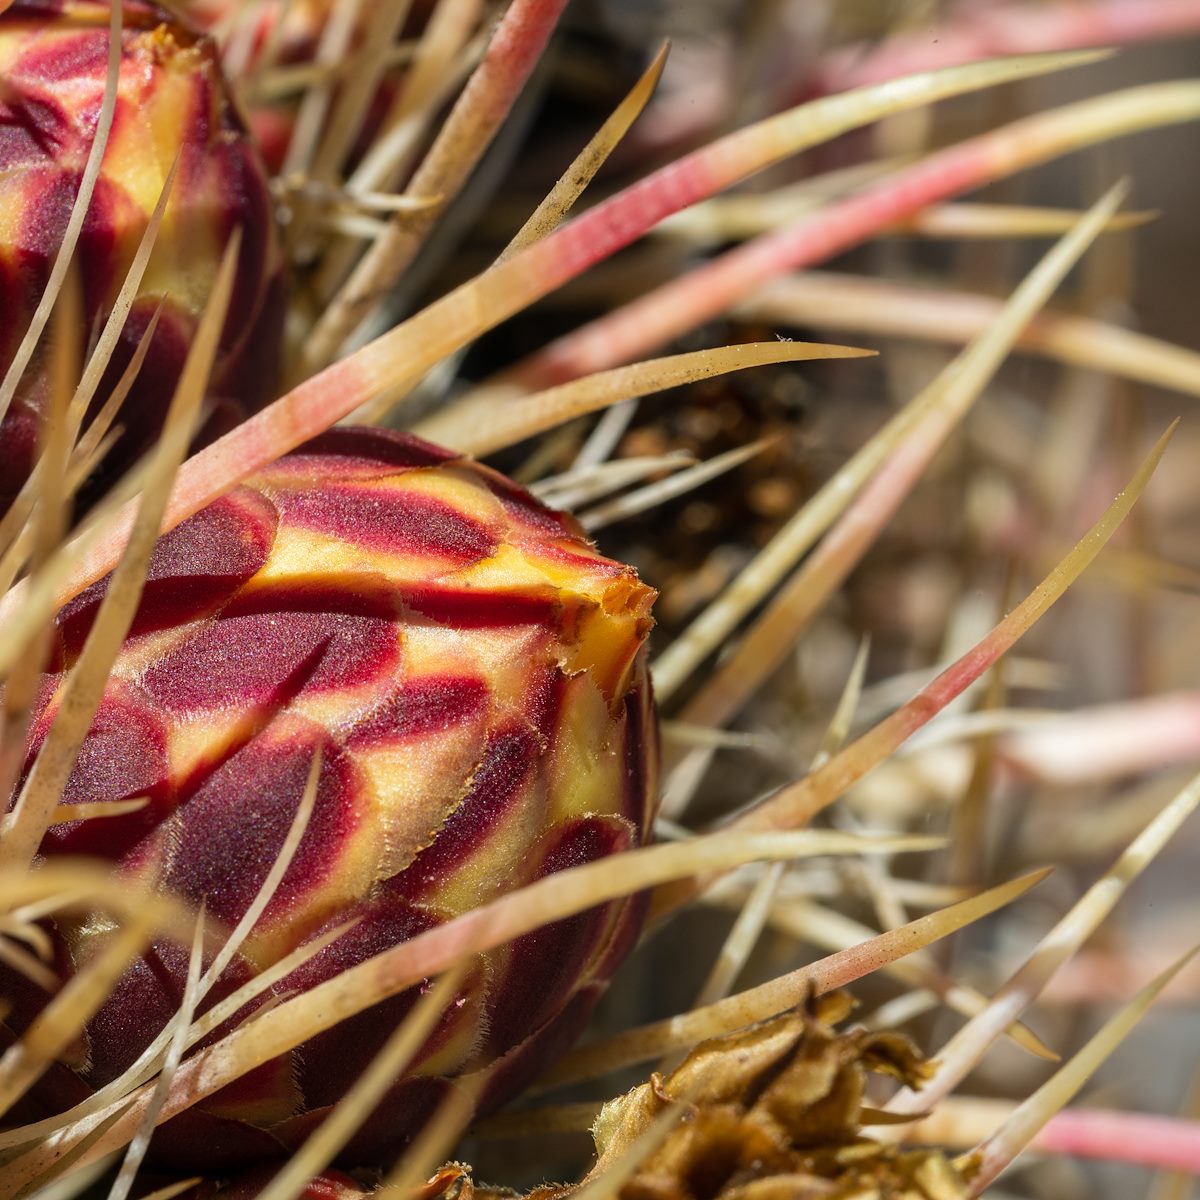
(171, 100)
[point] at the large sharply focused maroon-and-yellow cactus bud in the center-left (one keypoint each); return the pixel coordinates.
(472, 673)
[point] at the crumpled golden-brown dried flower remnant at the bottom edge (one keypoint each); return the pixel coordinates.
(769, 1113)
